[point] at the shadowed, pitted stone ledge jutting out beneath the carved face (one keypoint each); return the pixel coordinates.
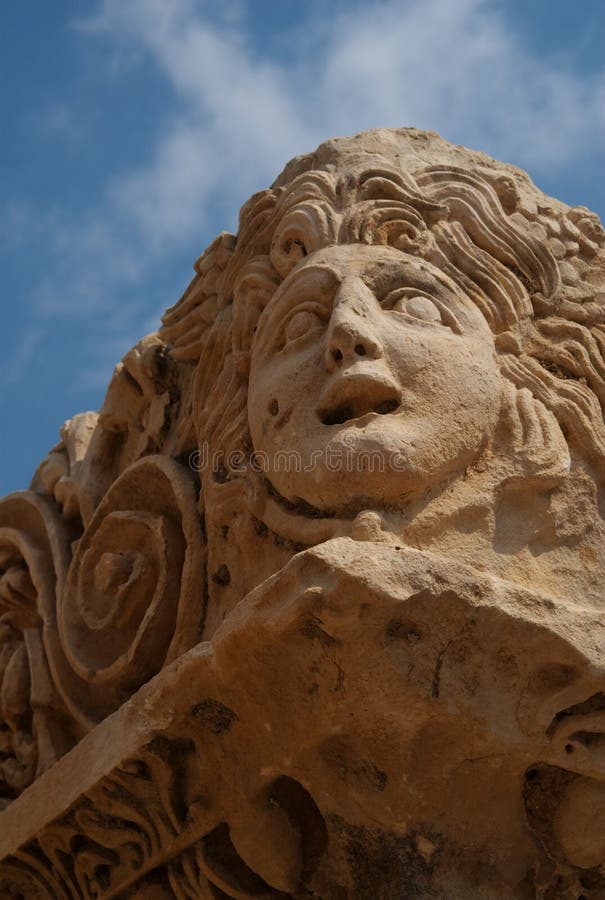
(462, 785)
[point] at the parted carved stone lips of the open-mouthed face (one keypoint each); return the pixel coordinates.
(355, 394)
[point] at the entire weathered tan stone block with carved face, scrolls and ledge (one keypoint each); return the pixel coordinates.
(314, 606)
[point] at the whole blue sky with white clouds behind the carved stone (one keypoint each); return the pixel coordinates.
(134, 129)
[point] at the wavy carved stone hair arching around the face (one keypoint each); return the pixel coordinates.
(533, 267)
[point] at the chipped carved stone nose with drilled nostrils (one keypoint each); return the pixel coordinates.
(351, 332)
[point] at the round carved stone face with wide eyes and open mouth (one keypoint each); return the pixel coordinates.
(372, 378)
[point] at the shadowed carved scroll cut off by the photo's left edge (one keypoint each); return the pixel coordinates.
(34, 555)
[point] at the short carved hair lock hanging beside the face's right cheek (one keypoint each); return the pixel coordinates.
(531, 438)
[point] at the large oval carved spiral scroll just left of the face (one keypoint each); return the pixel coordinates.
(134, 596)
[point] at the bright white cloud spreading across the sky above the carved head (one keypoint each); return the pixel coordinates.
(458, 68)
